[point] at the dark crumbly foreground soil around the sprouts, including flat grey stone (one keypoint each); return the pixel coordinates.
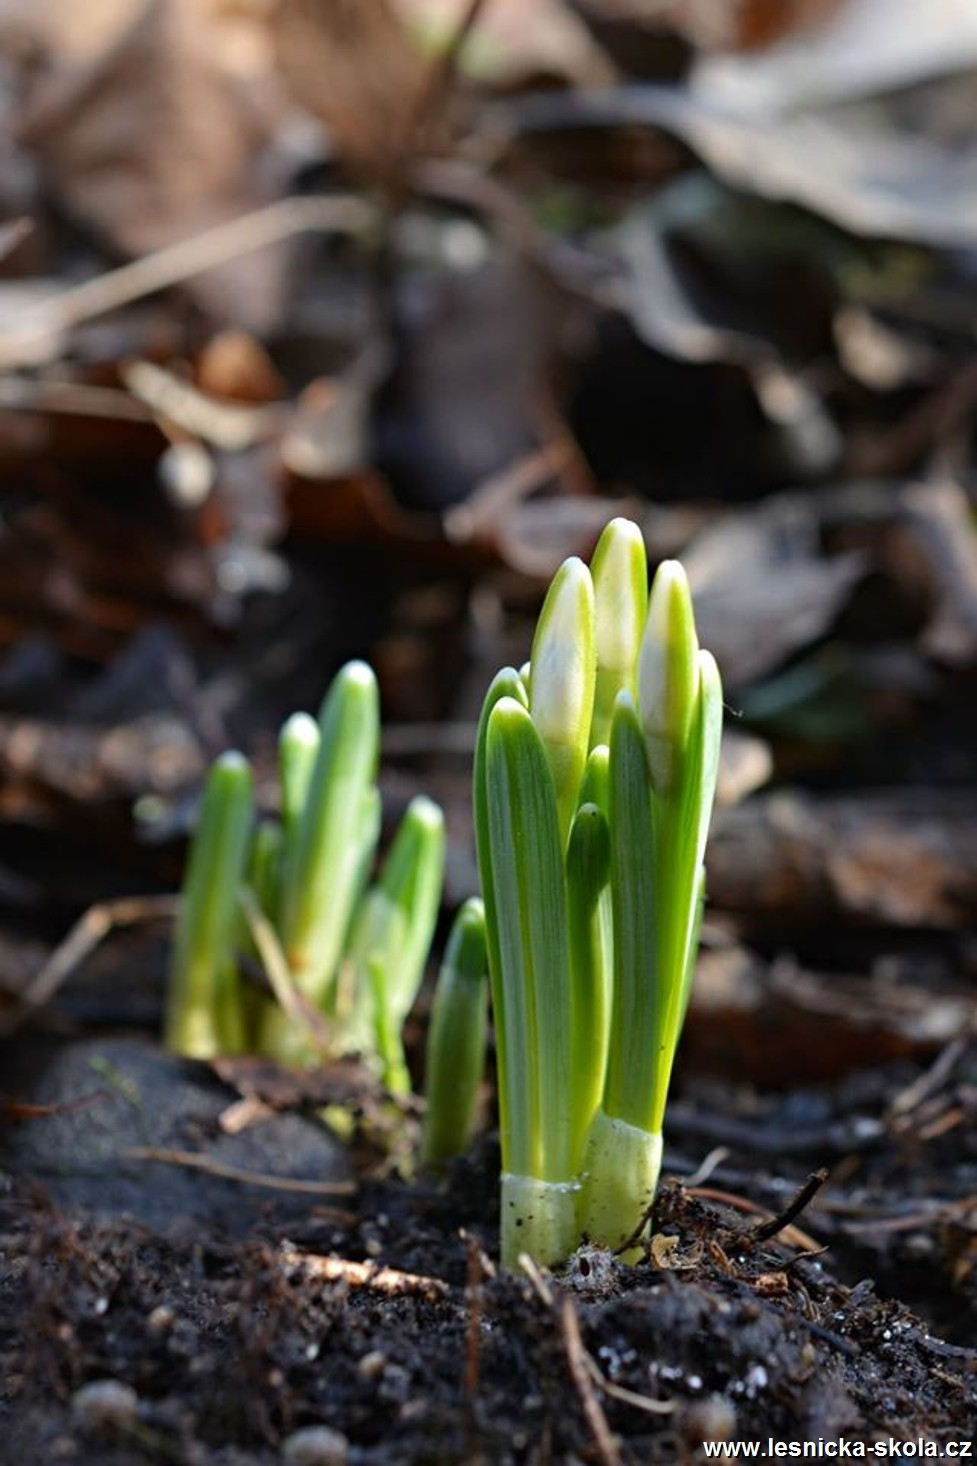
(211, 1300)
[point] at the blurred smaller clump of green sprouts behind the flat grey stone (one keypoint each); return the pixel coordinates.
(344, 952)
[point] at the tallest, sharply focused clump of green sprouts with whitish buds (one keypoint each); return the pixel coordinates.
(595, 776)
